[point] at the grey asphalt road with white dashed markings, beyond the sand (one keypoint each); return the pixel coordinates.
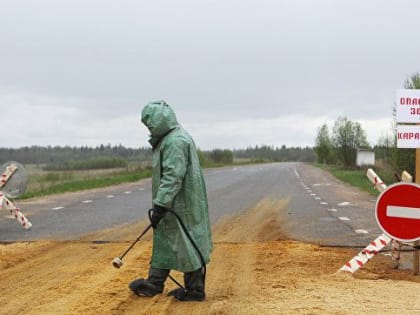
(321, 209)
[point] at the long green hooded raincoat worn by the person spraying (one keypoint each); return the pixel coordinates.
(178, 184)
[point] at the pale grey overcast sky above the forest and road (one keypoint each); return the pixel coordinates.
(237, 73)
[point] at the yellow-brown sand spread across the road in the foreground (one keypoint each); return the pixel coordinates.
(254, 270)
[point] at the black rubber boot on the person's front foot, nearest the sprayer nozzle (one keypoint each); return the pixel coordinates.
(152, 285)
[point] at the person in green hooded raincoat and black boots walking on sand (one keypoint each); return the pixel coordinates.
(177, 185)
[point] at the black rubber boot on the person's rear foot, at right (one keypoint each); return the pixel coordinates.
(194, 287)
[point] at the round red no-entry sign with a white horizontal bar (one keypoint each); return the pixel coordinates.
(398, 211)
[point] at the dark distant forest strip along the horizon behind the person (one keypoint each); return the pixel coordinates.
(59, 154)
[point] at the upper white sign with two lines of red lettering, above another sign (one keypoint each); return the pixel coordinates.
(408, 106)
